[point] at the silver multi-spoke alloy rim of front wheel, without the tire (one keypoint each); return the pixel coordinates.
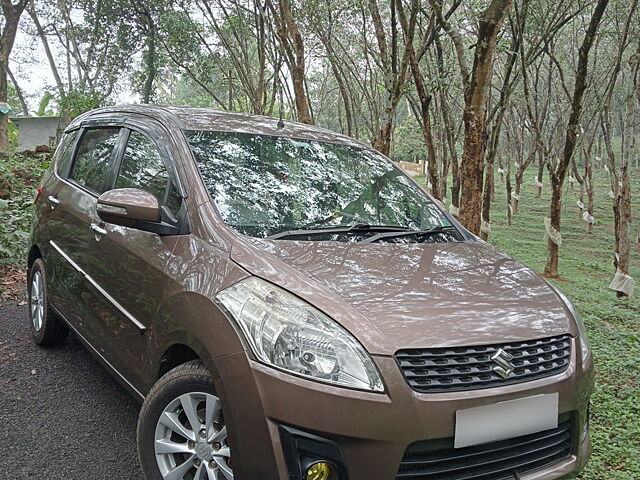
(190, 440)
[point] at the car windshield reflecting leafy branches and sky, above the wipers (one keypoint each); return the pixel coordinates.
(264, 185)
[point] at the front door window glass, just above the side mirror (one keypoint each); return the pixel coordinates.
(143, 167)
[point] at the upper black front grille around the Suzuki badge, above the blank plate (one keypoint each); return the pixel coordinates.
(456, 369)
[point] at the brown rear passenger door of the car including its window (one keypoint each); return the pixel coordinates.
(81, 175)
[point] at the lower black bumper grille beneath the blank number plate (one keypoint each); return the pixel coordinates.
(505, 459)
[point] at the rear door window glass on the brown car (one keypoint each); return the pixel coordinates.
(93, 156)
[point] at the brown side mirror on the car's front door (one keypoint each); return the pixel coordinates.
(134, 208)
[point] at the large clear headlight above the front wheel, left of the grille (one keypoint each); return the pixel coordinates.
(288, 333)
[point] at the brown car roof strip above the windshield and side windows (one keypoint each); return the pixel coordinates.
(210, 119)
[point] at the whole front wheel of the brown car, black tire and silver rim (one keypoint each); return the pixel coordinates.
(167, 442)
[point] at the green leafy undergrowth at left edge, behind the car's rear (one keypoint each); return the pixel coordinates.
(19, 177)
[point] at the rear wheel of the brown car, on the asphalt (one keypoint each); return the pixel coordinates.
(46, 328)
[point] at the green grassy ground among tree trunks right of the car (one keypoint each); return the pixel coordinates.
(613, 324)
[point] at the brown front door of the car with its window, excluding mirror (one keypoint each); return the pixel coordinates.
(129, 264)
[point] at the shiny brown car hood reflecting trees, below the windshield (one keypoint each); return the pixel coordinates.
(395, 296)
